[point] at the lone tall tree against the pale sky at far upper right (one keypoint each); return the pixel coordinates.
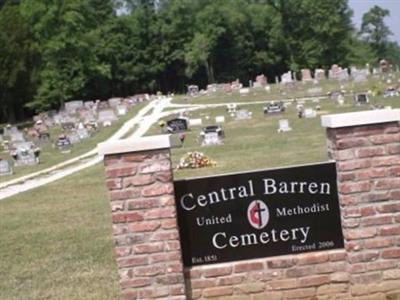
(374, 31)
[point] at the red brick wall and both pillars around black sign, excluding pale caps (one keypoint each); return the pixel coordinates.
(147, 241)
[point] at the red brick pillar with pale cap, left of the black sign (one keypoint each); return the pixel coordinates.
(140, 187)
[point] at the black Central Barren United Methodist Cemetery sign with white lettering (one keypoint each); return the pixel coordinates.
(258, 214)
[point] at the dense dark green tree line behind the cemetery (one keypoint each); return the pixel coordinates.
(52, 51)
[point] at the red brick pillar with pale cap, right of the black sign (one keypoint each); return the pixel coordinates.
(366, 146)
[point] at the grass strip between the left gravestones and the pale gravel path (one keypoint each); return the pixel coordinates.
(51, 156)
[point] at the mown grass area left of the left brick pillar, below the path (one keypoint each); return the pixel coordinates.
(56, 242)
